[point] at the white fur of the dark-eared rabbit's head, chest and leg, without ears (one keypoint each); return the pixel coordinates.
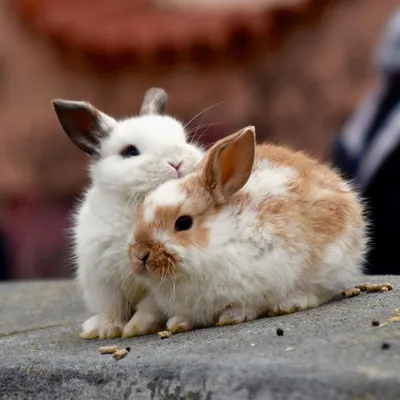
(103, 221)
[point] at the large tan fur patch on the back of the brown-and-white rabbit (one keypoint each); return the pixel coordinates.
(317, 202)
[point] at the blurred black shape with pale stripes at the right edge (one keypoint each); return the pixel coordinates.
(368, 151)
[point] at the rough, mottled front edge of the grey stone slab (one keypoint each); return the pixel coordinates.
(189, 378)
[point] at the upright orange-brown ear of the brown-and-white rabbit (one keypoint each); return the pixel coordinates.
(229, 164)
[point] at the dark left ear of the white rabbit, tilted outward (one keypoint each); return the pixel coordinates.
(85, 125)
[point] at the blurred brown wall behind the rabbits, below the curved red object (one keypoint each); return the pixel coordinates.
(298, 93)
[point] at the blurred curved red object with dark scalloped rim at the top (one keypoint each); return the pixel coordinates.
(146, 30)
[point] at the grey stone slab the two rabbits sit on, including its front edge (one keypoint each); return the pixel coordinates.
(332, 352)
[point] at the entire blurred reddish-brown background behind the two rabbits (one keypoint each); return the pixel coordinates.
(299, 70)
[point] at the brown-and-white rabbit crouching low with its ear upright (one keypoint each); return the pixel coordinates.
(254, 231)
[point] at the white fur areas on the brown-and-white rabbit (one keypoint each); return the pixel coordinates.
(245, 265)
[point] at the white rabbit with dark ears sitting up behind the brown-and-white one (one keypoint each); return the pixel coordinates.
(129, 158)
